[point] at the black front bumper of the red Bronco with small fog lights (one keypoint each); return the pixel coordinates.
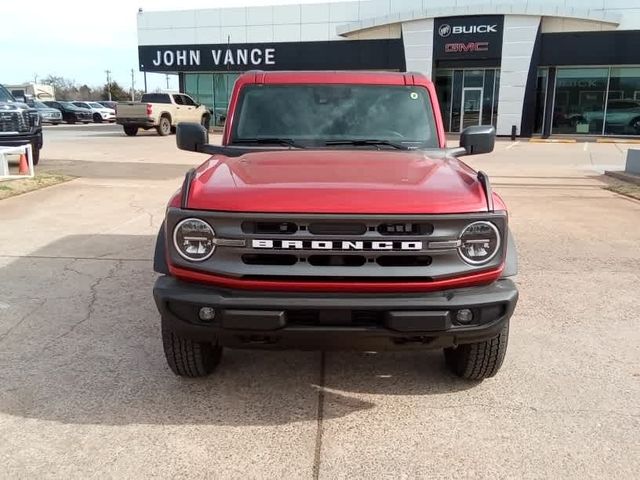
(334, 321)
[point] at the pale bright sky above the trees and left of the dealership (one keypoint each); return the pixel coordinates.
(80, 39)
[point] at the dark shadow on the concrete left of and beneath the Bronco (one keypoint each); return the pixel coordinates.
(80, 343)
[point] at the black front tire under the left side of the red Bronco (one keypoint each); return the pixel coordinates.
(187, 358)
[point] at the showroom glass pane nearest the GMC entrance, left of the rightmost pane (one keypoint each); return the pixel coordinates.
(579, 105)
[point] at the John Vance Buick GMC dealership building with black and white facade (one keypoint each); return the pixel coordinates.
(568, 67)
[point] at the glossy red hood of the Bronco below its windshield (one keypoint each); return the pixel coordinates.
(337, 181)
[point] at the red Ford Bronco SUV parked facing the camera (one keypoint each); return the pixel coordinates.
(333, 215)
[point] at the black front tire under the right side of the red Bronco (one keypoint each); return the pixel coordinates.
(477, 361)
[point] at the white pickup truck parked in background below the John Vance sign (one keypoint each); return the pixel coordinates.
(162, 111)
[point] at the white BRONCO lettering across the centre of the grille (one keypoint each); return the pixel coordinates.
(335, 245)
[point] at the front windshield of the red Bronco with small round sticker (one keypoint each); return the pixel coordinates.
(317, 114)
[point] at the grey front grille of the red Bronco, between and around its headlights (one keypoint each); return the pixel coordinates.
(315, 248)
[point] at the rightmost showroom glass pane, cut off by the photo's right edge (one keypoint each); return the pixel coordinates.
(623, 104)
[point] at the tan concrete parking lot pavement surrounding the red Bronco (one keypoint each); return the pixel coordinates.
(85, 391)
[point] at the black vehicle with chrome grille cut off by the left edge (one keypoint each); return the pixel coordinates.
(19, 124)
